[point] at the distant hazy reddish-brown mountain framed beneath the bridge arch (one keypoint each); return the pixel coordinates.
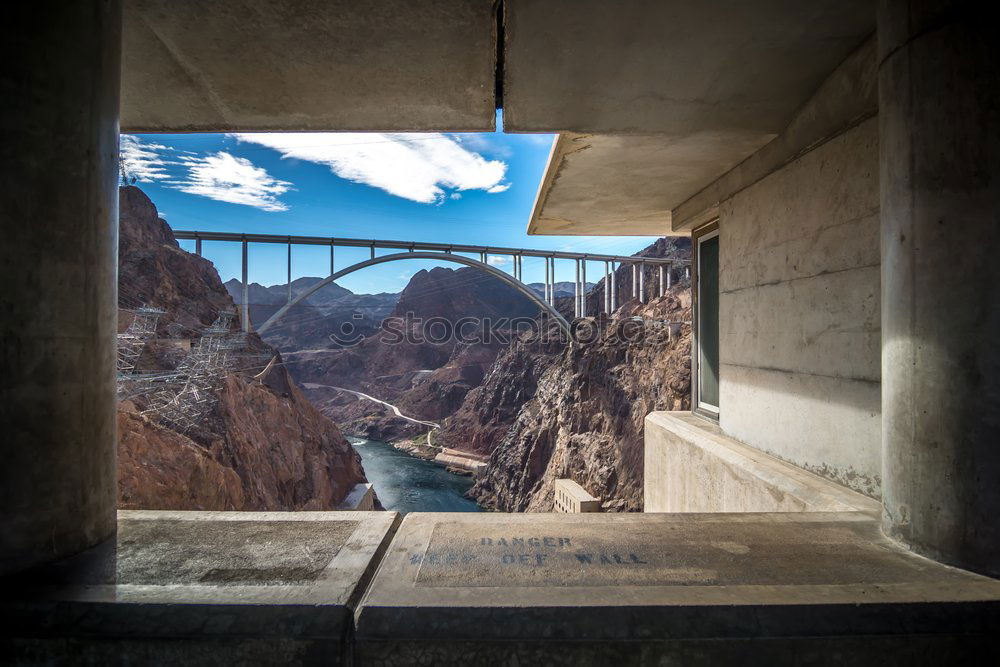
(412, 362)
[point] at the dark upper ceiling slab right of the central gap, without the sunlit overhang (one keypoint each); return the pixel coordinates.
(678, 68)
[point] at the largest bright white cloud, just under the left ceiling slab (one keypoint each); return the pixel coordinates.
(424, 168)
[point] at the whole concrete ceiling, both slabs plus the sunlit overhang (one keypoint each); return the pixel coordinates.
(655, 98)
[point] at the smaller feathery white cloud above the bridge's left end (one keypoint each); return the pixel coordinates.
(236, 180)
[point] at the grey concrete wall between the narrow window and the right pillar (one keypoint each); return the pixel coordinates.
(800, 311)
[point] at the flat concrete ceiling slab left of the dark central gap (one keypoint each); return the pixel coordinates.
(228, 65)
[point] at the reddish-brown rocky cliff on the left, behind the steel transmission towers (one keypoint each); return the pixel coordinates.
(262, 446)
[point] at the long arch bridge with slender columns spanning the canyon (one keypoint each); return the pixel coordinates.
(667, 268)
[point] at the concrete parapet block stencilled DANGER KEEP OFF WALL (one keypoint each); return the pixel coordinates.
(597, 589)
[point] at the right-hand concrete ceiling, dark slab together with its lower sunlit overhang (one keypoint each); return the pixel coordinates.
(690, 88)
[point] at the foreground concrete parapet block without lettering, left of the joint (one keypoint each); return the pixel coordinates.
(201, 588)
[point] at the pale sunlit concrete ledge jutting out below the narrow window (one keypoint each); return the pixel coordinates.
(692, 466)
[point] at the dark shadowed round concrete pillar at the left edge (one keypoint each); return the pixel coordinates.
(59, 91)
